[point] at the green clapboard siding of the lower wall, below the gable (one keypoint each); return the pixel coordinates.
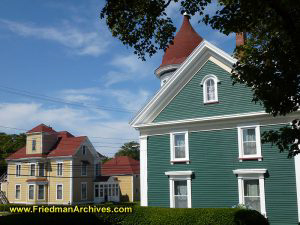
(213, 156)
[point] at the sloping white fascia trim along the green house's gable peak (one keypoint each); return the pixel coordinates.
(200, 54)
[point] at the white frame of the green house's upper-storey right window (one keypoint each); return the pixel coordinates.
(258, 154)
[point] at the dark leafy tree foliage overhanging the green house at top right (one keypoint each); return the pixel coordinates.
(268, 63)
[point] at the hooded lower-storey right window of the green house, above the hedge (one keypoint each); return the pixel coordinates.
(251, 188)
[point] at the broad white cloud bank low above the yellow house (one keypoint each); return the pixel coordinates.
(76, 121)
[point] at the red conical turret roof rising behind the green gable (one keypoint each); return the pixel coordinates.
(185, 41)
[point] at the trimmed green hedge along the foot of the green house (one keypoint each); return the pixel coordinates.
(200, 216)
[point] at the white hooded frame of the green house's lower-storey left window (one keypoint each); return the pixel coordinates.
(180, 175)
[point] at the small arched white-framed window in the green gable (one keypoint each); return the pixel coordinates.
(210, 89)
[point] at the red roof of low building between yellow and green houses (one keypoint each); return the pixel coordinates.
(120, 166)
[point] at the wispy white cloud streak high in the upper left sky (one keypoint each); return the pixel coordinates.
(81, 42)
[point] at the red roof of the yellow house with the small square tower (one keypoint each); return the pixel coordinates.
(66, 145)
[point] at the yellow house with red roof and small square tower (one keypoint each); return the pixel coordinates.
(53, 168)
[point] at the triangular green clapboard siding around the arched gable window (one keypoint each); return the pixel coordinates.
(188, 103)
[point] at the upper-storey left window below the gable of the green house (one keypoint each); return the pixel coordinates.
(179, 147)
